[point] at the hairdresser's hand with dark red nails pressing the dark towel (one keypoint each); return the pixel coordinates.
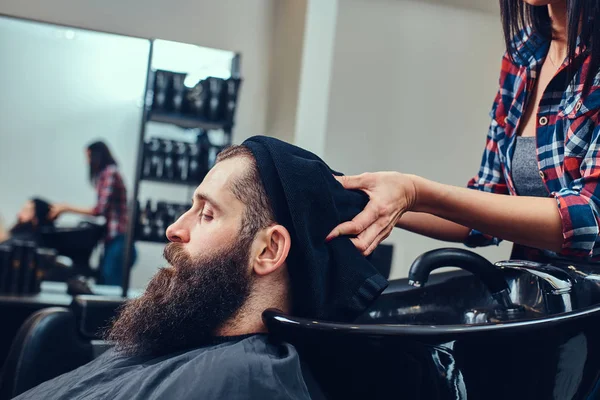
(391, 194)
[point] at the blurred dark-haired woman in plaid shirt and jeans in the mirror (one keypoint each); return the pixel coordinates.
(111, 204)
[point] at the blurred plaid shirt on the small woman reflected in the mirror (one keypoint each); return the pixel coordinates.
(112, 202)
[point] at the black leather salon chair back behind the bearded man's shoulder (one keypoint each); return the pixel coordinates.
(54, 341)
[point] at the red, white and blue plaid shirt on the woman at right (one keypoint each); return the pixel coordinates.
(568, 144)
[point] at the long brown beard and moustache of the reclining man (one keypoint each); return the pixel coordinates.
(185, 304)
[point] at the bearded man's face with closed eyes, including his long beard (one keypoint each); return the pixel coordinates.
(209, 278)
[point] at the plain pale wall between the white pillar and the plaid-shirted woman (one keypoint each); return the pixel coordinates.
(411, 88)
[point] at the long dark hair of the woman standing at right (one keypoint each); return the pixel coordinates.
(516, 15)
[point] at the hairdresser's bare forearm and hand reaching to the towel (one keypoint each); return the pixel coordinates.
(529, 221)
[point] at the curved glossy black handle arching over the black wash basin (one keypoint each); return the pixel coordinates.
(491, 276)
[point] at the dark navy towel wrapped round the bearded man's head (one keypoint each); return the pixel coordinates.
(331, 281)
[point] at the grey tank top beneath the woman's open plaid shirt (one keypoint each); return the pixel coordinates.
(525, 172)
